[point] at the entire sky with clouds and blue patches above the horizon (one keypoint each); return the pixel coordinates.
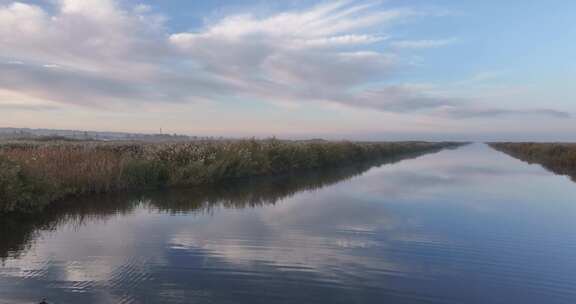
(366, 70)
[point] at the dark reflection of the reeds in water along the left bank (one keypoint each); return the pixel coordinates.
(19, 229)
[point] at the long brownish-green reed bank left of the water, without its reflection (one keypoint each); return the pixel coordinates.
(34, 174)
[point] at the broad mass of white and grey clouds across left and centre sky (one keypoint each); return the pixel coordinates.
(102, 53)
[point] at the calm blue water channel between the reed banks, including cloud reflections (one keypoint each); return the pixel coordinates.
(469, 225)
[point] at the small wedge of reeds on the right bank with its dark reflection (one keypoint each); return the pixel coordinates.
(559, 158)
